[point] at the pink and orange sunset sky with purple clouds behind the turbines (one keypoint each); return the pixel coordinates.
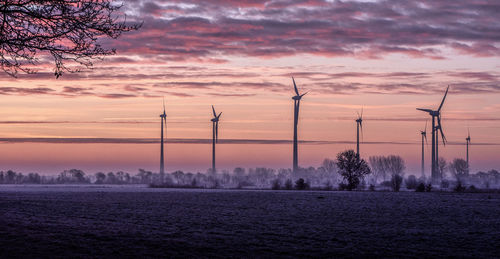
(385, 57)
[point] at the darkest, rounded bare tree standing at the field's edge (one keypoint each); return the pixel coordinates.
(352, 168)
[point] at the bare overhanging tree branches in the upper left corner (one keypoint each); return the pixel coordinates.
(67, 30)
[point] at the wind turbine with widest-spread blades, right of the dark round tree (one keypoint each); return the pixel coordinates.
(436, 117)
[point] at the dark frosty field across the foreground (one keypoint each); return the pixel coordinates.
(139, 222)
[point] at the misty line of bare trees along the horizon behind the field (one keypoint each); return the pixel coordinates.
(346, 172)
